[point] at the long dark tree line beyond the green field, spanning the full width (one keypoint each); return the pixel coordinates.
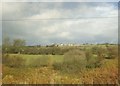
(18, 46)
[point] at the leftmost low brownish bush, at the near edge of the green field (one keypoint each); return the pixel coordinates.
(13, 61)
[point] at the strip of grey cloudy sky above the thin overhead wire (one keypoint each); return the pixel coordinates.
(37, 10)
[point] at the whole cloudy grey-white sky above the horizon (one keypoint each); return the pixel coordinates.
(61, 22)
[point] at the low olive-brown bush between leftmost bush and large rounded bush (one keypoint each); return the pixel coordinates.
(40, 62)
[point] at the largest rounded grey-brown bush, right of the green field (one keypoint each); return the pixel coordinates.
(74, 61)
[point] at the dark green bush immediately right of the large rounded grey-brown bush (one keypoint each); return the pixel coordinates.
(94, 59)
